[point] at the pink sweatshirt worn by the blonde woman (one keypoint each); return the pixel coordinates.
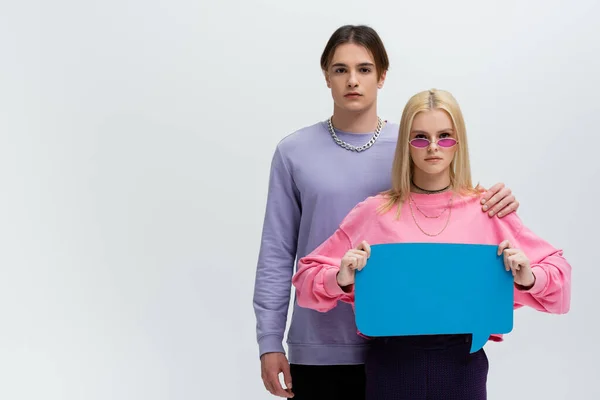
(315, 280)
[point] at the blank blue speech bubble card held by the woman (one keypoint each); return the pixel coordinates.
(434, 288)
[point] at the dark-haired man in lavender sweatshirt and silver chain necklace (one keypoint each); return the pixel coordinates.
(318, 174)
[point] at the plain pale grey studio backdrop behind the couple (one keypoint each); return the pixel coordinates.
(136, 142)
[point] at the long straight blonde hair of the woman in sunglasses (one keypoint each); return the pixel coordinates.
(403, 167)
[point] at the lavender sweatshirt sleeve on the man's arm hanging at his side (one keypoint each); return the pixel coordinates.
(272, 288)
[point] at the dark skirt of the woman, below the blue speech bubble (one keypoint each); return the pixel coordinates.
(425, 368)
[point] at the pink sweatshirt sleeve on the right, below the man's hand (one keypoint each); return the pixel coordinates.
(551, 291)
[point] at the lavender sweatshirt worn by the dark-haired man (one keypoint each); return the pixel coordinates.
(313, 185)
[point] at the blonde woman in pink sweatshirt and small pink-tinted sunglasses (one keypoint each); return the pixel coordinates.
(432, 199)
